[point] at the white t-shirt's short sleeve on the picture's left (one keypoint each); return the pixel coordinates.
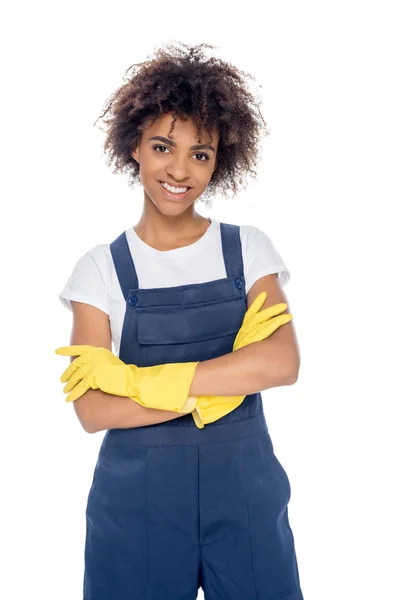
(87, 283)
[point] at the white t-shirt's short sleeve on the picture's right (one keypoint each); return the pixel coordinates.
(262, 258)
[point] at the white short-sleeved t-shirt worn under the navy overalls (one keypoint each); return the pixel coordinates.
(94, 279)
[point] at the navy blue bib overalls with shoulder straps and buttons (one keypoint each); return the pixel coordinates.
(173, 508)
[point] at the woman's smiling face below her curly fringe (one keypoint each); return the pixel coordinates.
(174, 160)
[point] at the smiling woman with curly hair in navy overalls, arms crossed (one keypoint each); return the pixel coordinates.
(174, 294)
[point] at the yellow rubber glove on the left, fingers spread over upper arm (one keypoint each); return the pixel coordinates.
(165, 387)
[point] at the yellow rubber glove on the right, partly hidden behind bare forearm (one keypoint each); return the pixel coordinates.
(257, 325)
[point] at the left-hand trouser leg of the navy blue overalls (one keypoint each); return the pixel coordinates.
(141, 541)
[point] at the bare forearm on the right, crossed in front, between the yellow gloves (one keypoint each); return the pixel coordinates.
(256, 367)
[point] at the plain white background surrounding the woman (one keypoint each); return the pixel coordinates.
(326, 193)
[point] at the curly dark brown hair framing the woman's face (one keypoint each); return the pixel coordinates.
(186, 83)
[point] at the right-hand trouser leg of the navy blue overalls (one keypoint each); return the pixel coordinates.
(246, 543)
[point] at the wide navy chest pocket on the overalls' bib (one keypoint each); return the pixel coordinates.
(191, 324)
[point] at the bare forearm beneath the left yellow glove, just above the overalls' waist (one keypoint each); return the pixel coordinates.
(98, 411)
